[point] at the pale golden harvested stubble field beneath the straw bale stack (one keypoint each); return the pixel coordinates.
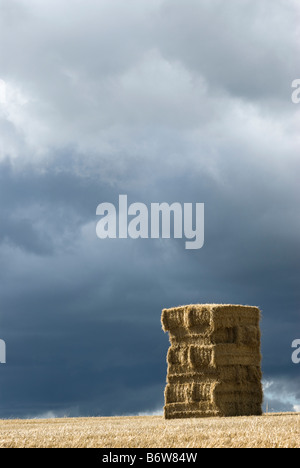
(268, 431)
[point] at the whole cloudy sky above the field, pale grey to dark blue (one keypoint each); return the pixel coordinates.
(183, 101)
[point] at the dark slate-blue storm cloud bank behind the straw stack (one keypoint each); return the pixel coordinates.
(83, 324)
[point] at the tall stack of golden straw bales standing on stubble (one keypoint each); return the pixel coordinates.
(214, 362)
